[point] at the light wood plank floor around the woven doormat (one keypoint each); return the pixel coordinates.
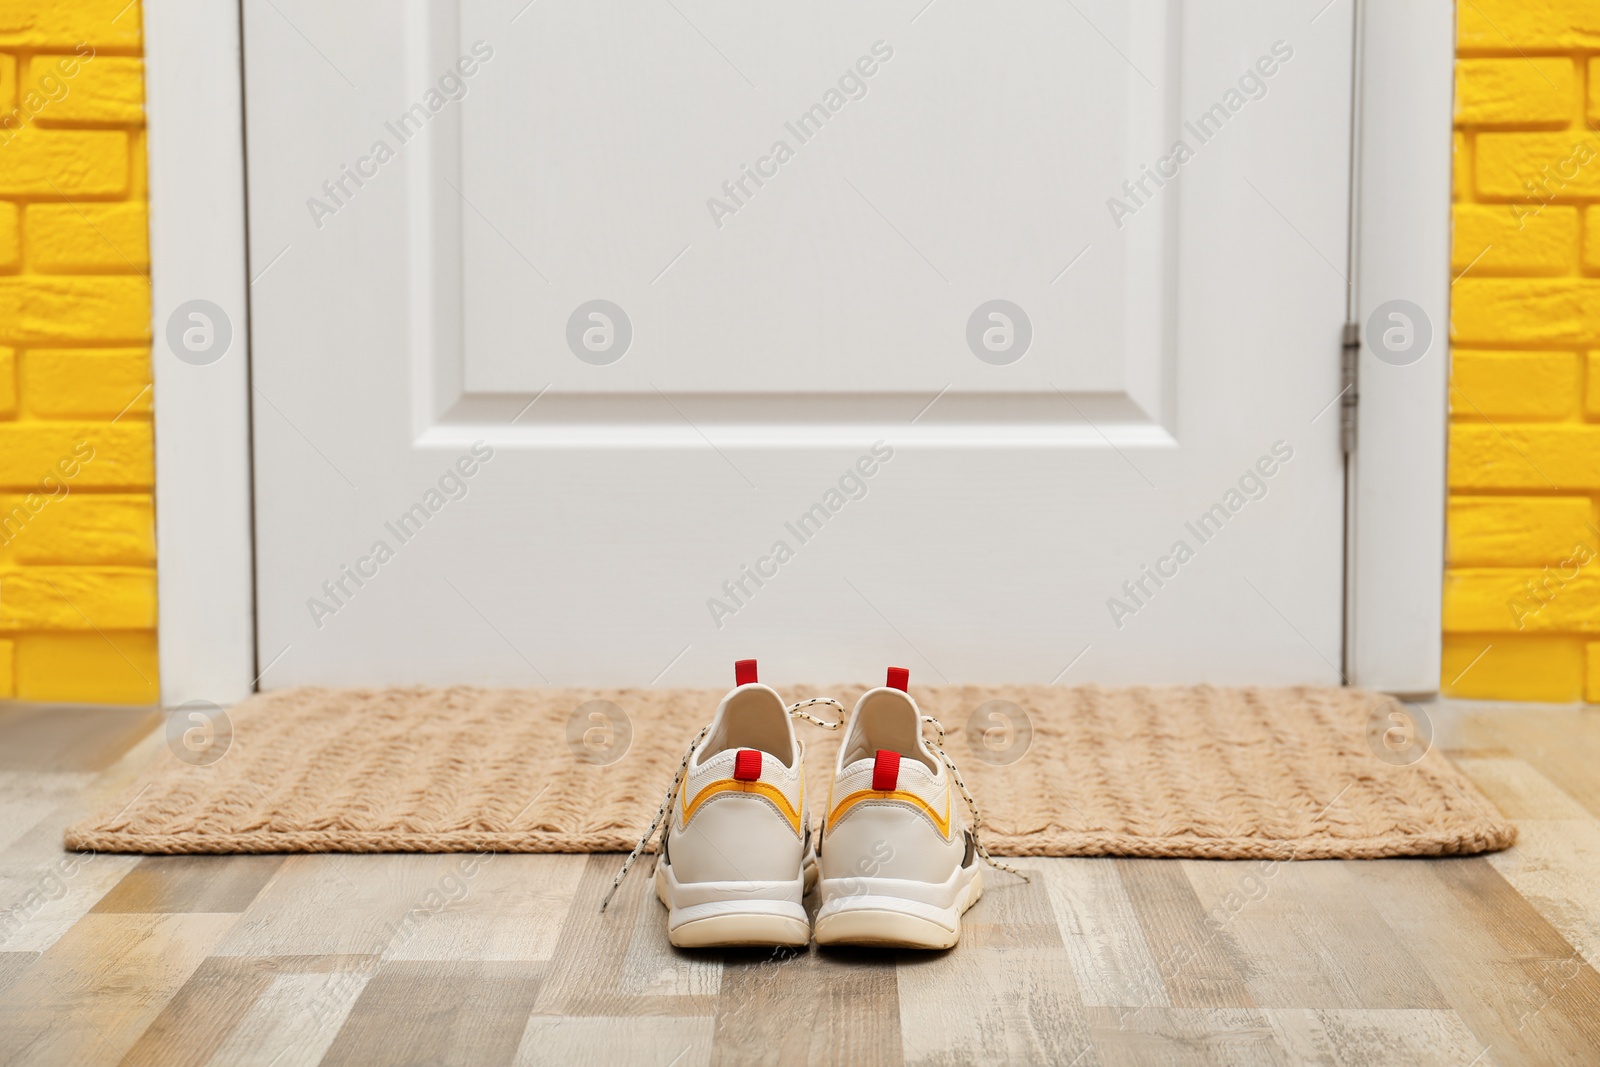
(505, 959)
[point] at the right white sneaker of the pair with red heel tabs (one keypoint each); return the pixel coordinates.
(898, 861)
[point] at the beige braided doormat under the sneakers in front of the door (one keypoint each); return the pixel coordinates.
(1161, 772)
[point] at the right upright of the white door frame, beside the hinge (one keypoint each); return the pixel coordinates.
(1401, 228)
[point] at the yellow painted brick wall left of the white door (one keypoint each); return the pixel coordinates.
(78, 537)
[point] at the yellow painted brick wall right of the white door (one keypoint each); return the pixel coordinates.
(1522, 581)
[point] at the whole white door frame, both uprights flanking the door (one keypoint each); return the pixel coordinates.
(199, 246)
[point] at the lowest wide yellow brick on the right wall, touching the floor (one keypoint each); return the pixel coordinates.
(1516, 668)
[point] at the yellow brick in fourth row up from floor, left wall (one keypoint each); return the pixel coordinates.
(84, 455)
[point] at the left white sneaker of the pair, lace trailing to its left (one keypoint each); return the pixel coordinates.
(737, 849)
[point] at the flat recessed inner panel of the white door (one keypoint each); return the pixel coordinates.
(852, 266)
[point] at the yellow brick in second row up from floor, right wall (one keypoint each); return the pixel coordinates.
(1561, 597)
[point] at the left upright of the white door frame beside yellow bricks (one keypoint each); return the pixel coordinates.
(199, 250)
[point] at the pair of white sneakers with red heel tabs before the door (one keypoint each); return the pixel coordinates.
(897, 861)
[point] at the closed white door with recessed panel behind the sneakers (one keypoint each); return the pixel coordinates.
(607, 343)
